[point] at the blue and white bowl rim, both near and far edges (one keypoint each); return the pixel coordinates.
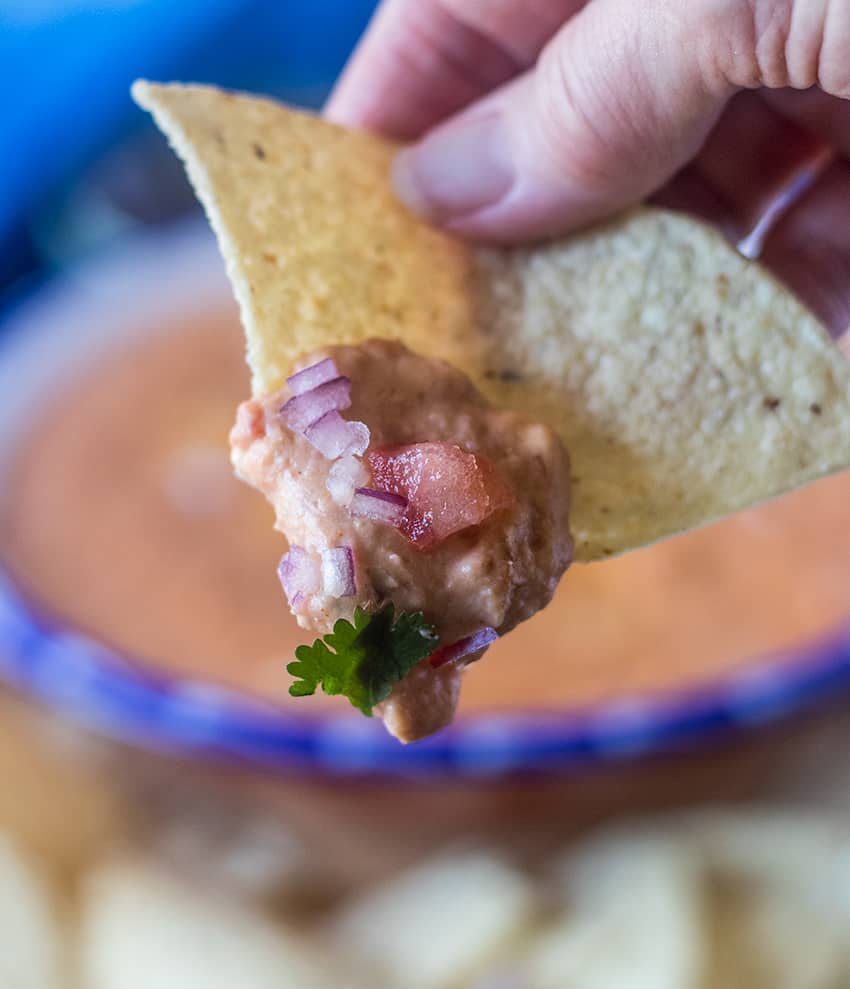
(116, 695)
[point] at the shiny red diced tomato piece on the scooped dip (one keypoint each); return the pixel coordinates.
(447, 489)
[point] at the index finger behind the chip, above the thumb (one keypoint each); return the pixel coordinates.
(422, 60)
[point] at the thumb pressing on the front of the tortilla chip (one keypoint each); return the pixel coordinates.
(619, 100)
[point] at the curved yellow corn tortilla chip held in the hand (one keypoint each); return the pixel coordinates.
(685, 382)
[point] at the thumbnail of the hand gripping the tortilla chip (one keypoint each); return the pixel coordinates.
(458, 169)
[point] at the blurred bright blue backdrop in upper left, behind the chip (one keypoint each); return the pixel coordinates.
(79, 164)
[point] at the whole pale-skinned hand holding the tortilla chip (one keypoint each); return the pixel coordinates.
(530, 118)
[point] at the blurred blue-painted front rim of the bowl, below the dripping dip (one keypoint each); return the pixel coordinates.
(111, 694)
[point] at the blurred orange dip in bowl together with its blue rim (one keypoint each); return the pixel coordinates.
(139, 589)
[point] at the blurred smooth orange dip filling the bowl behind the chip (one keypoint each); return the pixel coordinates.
(122, 516)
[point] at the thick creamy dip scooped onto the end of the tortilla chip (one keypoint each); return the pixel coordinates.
(494, 573)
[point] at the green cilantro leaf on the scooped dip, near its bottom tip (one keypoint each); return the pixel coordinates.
(364, 658)
